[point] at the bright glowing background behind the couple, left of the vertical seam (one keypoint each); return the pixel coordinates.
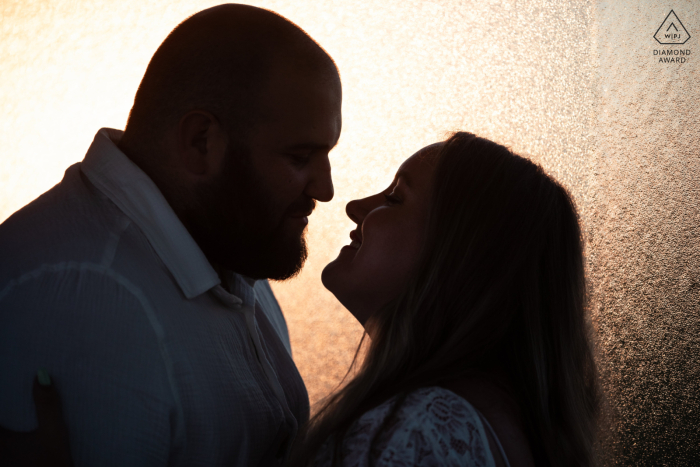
(411, 71)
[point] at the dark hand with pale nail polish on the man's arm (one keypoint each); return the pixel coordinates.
(48, 445)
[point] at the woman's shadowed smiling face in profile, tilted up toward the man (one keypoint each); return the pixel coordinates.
(386, 244)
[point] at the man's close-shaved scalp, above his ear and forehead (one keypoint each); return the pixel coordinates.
(220, 60)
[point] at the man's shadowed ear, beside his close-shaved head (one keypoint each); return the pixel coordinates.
(201, 143)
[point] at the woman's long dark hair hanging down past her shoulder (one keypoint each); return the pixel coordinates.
(500, 286)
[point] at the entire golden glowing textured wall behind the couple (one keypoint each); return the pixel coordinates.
(575, 85)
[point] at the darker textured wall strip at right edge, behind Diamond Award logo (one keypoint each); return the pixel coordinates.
(643, 225)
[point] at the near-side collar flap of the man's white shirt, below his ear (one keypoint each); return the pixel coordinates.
(115, 175)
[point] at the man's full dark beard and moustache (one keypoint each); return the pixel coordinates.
(239, 227)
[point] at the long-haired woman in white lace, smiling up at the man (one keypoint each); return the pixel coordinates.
(467, 274)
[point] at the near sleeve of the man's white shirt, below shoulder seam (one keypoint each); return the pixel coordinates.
(95, 338)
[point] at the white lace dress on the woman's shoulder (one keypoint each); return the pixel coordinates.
(433, 427)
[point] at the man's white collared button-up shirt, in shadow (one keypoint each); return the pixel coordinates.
(155, 362)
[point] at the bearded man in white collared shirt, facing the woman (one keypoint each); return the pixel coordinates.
(140, 281)
